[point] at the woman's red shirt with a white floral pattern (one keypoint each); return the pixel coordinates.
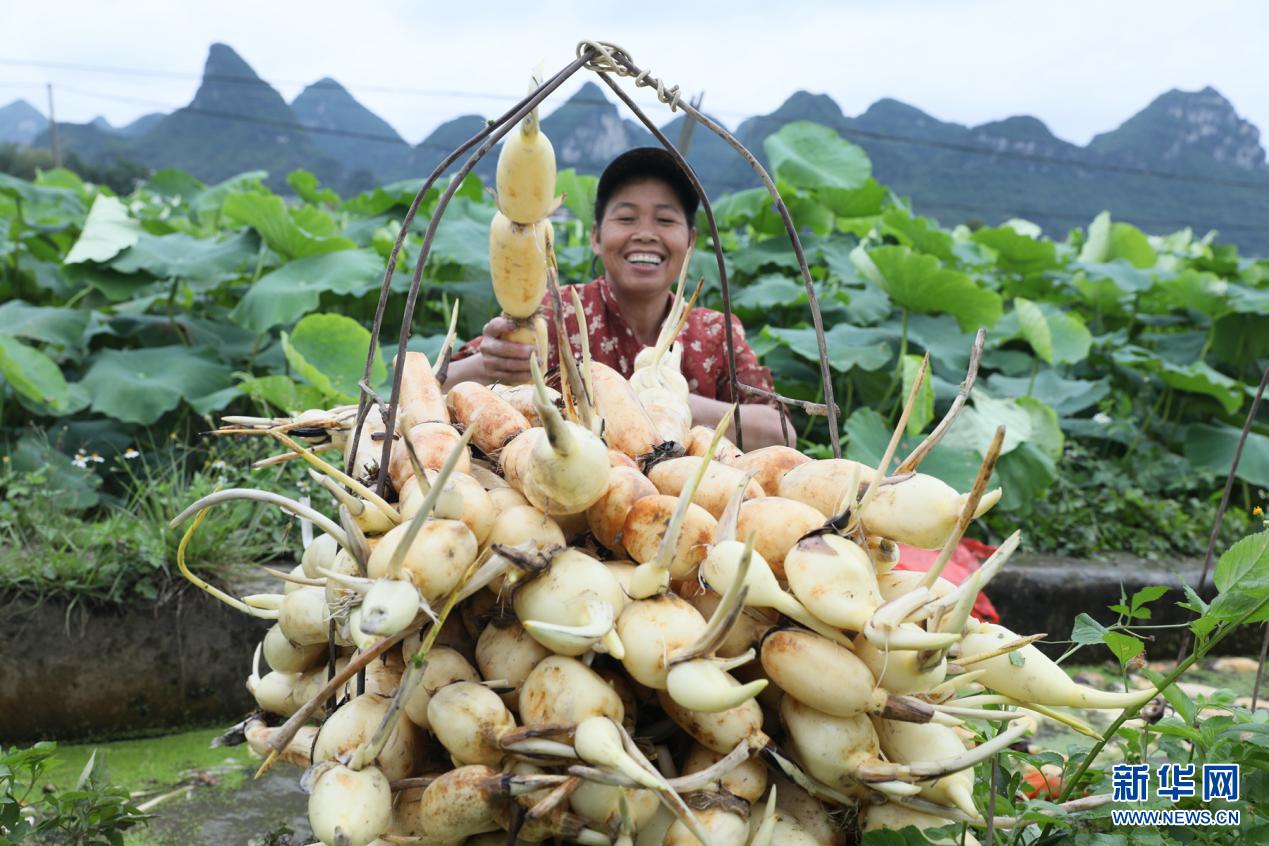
(614, 343)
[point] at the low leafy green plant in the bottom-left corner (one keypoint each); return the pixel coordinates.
(92, 814)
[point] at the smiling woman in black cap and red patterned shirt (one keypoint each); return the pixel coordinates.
(645, 209)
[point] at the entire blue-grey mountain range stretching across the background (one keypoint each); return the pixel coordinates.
(1007, 168)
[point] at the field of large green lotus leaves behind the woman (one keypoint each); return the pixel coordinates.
(1120, 361)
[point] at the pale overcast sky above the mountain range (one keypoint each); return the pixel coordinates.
(1083, 67)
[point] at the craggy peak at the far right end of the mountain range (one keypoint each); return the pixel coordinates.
(1199, 131)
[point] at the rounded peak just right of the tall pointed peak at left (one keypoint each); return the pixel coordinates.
(364, 144)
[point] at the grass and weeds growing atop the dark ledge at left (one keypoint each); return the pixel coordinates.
(67, 536)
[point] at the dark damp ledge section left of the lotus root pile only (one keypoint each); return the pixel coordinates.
(87, 674)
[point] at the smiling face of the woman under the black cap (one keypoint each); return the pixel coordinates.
(643, 239)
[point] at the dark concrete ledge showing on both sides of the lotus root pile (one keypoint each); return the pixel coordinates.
(116, 673)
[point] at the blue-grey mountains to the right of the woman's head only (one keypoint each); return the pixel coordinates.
(1018, 168)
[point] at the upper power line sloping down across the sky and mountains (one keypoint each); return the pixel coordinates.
(846, 131)
